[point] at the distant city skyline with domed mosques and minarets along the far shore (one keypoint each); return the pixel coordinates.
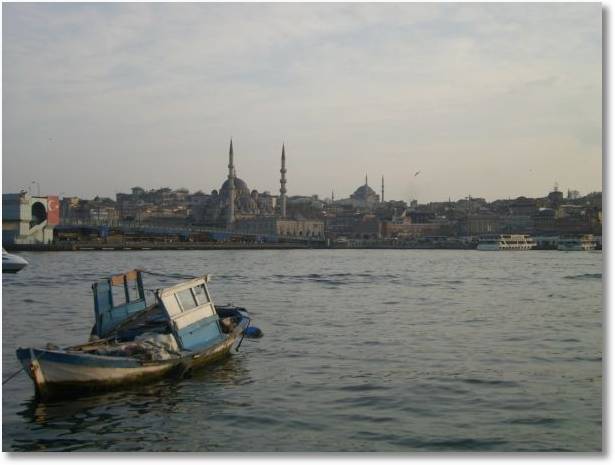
(235, 209)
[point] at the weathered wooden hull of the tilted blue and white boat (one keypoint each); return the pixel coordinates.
(58, 373)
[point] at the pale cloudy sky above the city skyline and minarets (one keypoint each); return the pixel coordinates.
(494, 100)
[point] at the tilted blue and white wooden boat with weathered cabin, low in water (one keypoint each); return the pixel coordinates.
(133, 342)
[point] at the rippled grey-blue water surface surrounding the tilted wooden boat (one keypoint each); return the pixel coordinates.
(364, 350)
